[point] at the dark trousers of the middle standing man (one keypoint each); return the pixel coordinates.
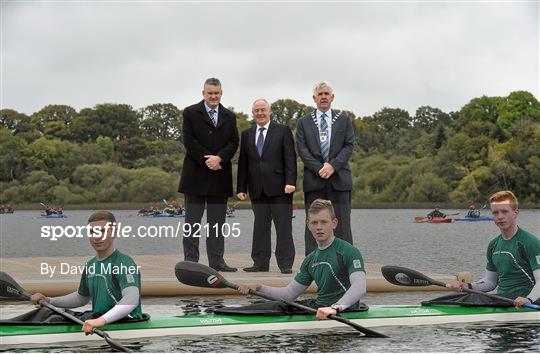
(265, 210)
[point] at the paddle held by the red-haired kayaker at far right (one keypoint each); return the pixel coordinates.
(408, 277)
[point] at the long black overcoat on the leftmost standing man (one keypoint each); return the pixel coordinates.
(201, 138)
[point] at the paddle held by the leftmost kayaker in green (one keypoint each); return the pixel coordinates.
(10, 288)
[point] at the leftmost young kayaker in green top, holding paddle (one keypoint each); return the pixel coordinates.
(111, 279)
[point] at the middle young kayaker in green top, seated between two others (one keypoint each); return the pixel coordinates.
(336, 267)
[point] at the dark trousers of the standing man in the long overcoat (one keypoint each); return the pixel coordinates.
(215, 215)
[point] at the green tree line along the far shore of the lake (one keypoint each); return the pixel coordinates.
(115, 153)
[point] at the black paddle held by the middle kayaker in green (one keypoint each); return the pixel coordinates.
(196, 274)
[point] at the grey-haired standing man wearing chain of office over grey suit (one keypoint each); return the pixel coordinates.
(325, 141)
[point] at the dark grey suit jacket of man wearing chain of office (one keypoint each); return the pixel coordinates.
(341, 147)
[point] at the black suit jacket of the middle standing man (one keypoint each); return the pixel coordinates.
(271, 171)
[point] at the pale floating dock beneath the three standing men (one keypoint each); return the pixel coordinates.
(158, 279)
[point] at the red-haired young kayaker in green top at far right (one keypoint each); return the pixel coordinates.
(513, 257)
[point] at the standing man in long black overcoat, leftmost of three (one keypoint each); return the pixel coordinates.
(211, 140)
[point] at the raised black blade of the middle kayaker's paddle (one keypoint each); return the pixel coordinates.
(196, 274)
